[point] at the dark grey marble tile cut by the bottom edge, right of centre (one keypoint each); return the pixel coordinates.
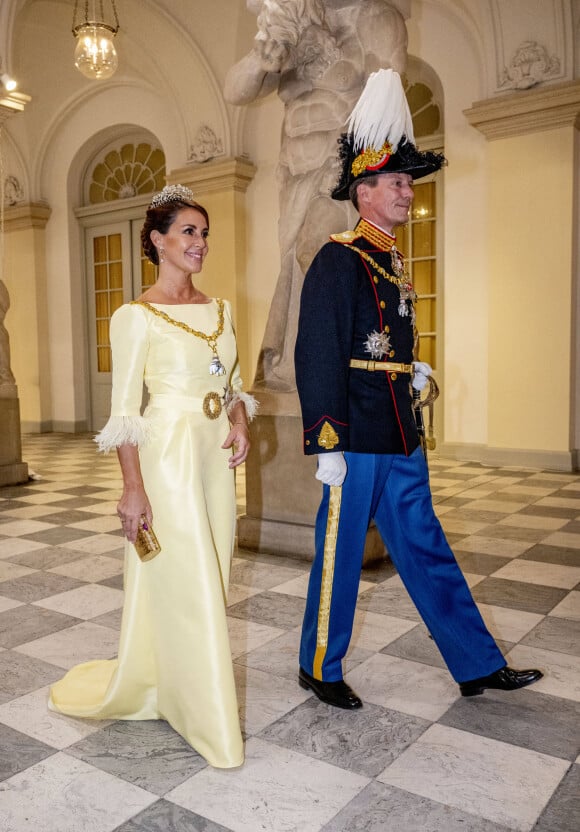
(381, 808)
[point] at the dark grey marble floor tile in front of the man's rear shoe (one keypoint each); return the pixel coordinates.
(365, 741)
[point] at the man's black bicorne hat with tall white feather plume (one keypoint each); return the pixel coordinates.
(380, 138)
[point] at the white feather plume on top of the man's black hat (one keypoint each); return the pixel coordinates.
(382, 113)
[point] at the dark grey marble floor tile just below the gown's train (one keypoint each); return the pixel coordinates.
(147, 753)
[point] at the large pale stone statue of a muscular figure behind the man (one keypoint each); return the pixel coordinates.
(317, 54)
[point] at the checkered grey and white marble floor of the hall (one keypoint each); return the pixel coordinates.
(417, 756)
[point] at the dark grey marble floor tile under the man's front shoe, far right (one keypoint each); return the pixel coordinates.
(525, 718)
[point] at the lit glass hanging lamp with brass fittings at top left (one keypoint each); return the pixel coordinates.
(95, 54)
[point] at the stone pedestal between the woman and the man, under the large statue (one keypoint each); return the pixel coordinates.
(282, 493)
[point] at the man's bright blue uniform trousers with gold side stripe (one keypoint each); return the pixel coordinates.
(394, 491)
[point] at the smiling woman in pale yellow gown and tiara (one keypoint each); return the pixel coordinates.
(177, 460)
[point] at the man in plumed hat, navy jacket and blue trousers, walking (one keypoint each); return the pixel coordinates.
(355, 370)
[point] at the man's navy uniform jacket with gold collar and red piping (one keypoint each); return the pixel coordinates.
(344, 300)
